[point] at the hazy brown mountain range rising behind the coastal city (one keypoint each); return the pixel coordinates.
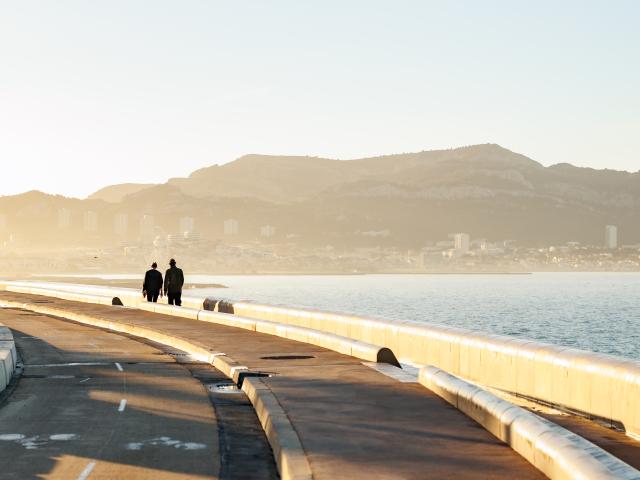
(485, 190)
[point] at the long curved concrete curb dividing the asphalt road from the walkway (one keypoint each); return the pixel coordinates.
(290, 457)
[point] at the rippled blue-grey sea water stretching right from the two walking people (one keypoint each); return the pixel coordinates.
(591, 311)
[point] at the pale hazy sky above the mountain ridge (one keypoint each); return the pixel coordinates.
(100, 92)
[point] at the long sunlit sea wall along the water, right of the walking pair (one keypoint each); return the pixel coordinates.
(596, 385)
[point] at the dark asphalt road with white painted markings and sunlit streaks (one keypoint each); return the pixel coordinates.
(96, 405)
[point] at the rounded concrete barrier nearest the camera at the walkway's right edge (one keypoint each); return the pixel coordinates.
(555, 451)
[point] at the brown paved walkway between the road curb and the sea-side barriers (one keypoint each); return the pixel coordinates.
(353, 421)
